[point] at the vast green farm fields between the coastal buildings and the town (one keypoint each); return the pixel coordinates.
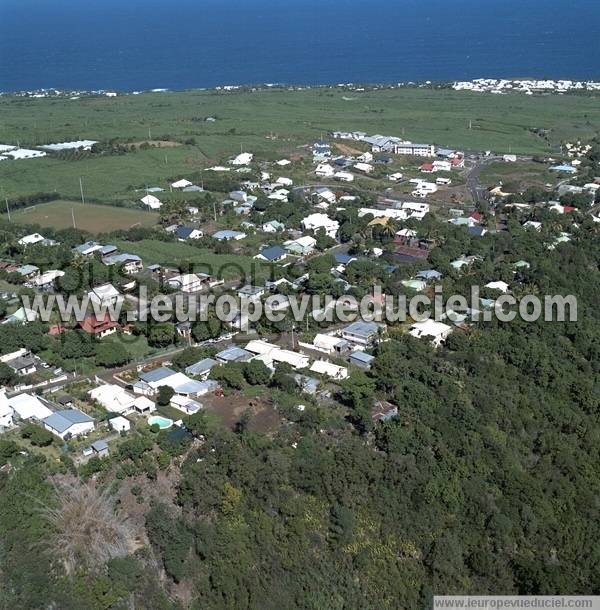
(270, 123)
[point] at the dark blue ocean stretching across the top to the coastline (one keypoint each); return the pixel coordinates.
(177, 44)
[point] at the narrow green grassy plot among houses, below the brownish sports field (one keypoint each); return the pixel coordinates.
(197, 260)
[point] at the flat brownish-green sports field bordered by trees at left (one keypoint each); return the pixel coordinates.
(89, 217)
